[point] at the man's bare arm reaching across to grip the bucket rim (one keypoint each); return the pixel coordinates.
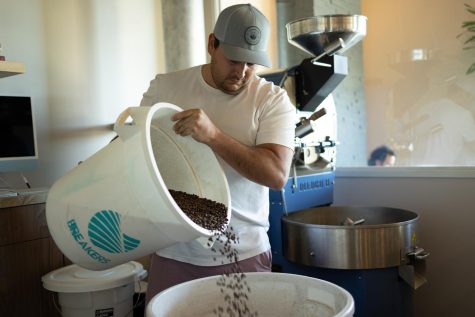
(265, 164)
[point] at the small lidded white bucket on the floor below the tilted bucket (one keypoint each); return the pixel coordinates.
(84, 293)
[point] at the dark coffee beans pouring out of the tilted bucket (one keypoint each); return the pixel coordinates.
(212, 215)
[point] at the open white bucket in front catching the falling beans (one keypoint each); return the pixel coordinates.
(270, 295)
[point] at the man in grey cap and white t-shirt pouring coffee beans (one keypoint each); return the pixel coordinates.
(248, 123)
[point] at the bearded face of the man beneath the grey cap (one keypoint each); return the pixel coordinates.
(229, 76)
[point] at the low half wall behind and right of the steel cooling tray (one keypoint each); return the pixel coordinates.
(446, 229)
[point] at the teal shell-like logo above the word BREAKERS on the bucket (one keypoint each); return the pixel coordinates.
(105, 233)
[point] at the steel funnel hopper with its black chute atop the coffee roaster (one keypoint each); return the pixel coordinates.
(325, 38)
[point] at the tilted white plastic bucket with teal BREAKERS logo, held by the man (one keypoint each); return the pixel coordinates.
(115, 206)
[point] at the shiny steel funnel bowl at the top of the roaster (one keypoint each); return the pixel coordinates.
(327, 34)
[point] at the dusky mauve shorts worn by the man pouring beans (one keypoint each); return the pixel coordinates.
(165, 273)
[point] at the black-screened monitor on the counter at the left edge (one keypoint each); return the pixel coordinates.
(18, 148)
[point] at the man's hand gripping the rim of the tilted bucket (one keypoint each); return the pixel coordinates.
(196, 123)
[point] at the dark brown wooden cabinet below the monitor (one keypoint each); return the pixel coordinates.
(27, 252)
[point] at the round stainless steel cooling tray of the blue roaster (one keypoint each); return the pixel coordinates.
(316, 237)
